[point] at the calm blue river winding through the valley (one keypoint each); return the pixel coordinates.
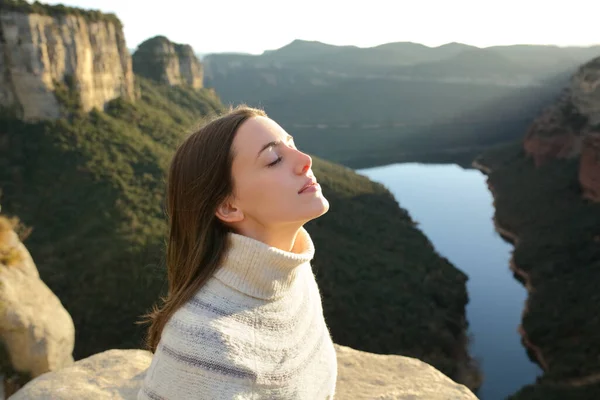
(454, 208)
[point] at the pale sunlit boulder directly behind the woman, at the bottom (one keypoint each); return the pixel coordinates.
(118, 374)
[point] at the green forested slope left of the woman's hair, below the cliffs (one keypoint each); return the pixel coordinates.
(91, 187)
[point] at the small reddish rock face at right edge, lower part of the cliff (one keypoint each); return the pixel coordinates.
(589, 167)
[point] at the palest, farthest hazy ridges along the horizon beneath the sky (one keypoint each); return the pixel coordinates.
(339, 60)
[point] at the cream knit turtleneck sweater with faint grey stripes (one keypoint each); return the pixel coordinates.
(254, 331)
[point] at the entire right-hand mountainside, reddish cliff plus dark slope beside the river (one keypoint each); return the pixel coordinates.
(547, 197)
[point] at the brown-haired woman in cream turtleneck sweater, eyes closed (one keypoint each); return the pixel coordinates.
(243, 316)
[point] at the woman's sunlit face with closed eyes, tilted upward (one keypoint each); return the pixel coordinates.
(268, 172)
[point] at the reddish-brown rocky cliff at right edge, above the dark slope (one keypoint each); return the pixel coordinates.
(571, 128)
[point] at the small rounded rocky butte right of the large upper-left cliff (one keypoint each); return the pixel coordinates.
(163, 61)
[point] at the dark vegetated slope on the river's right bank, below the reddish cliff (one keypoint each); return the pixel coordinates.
(559, 233)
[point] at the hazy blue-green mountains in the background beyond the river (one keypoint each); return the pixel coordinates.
(413, 92)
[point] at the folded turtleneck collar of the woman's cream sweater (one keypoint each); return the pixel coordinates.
(259, 270)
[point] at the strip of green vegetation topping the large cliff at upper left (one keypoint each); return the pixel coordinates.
(58, 10)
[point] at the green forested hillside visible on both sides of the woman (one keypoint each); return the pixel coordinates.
(91, 187)
